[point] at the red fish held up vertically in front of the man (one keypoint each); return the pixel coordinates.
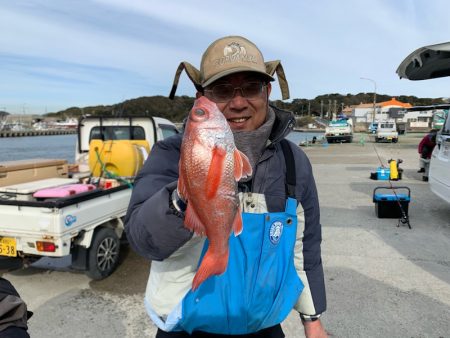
(210, 166)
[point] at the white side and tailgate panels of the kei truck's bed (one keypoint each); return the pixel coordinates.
(59, 220)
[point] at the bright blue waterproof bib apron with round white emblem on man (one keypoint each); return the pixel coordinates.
(260, 286)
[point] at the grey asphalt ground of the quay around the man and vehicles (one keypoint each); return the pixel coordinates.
(382, 280)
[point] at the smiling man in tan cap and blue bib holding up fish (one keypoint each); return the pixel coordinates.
(280, 212)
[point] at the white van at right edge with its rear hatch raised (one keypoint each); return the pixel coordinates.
(427, 63)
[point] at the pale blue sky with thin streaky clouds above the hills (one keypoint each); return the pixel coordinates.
(56, 54)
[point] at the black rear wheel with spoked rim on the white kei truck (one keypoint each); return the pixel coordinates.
(103, 255)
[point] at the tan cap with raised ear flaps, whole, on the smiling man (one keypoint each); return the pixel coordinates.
(229, 55)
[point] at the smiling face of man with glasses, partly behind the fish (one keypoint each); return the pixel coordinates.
(242, 113)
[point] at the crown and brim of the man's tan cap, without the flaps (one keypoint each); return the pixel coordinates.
(229, 55)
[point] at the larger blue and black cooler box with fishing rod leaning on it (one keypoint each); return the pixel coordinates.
(390, 205)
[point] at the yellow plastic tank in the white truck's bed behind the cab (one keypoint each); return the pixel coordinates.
(117, 157)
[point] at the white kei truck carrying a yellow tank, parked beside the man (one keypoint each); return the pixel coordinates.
(49, 208)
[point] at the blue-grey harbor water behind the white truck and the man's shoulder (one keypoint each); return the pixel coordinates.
(63, 146)
